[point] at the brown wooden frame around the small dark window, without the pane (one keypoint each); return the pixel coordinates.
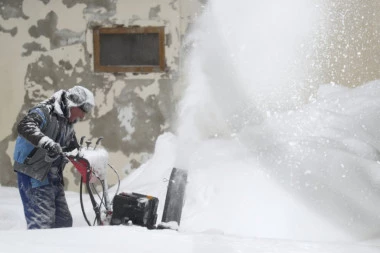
(129, 68)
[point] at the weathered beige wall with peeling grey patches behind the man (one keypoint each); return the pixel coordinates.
(47, 45)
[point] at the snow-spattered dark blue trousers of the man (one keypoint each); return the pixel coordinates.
(44, 206)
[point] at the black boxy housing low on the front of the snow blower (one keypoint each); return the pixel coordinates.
(136, 208)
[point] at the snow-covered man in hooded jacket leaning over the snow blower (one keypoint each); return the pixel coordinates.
(44, 133)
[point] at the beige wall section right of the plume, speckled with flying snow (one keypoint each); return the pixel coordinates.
(348, 44)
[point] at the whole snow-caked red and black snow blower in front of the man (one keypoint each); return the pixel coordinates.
(125, 208)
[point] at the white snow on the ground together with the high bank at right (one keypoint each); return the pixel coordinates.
(306, 180)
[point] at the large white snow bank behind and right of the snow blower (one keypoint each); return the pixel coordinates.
(307, 174)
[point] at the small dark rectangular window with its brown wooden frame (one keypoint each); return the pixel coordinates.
(129, 49)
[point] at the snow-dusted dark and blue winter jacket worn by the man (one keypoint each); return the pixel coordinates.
(46, 119)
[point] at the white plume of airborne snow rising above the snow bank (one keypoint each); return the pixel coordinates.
(245, 62)
